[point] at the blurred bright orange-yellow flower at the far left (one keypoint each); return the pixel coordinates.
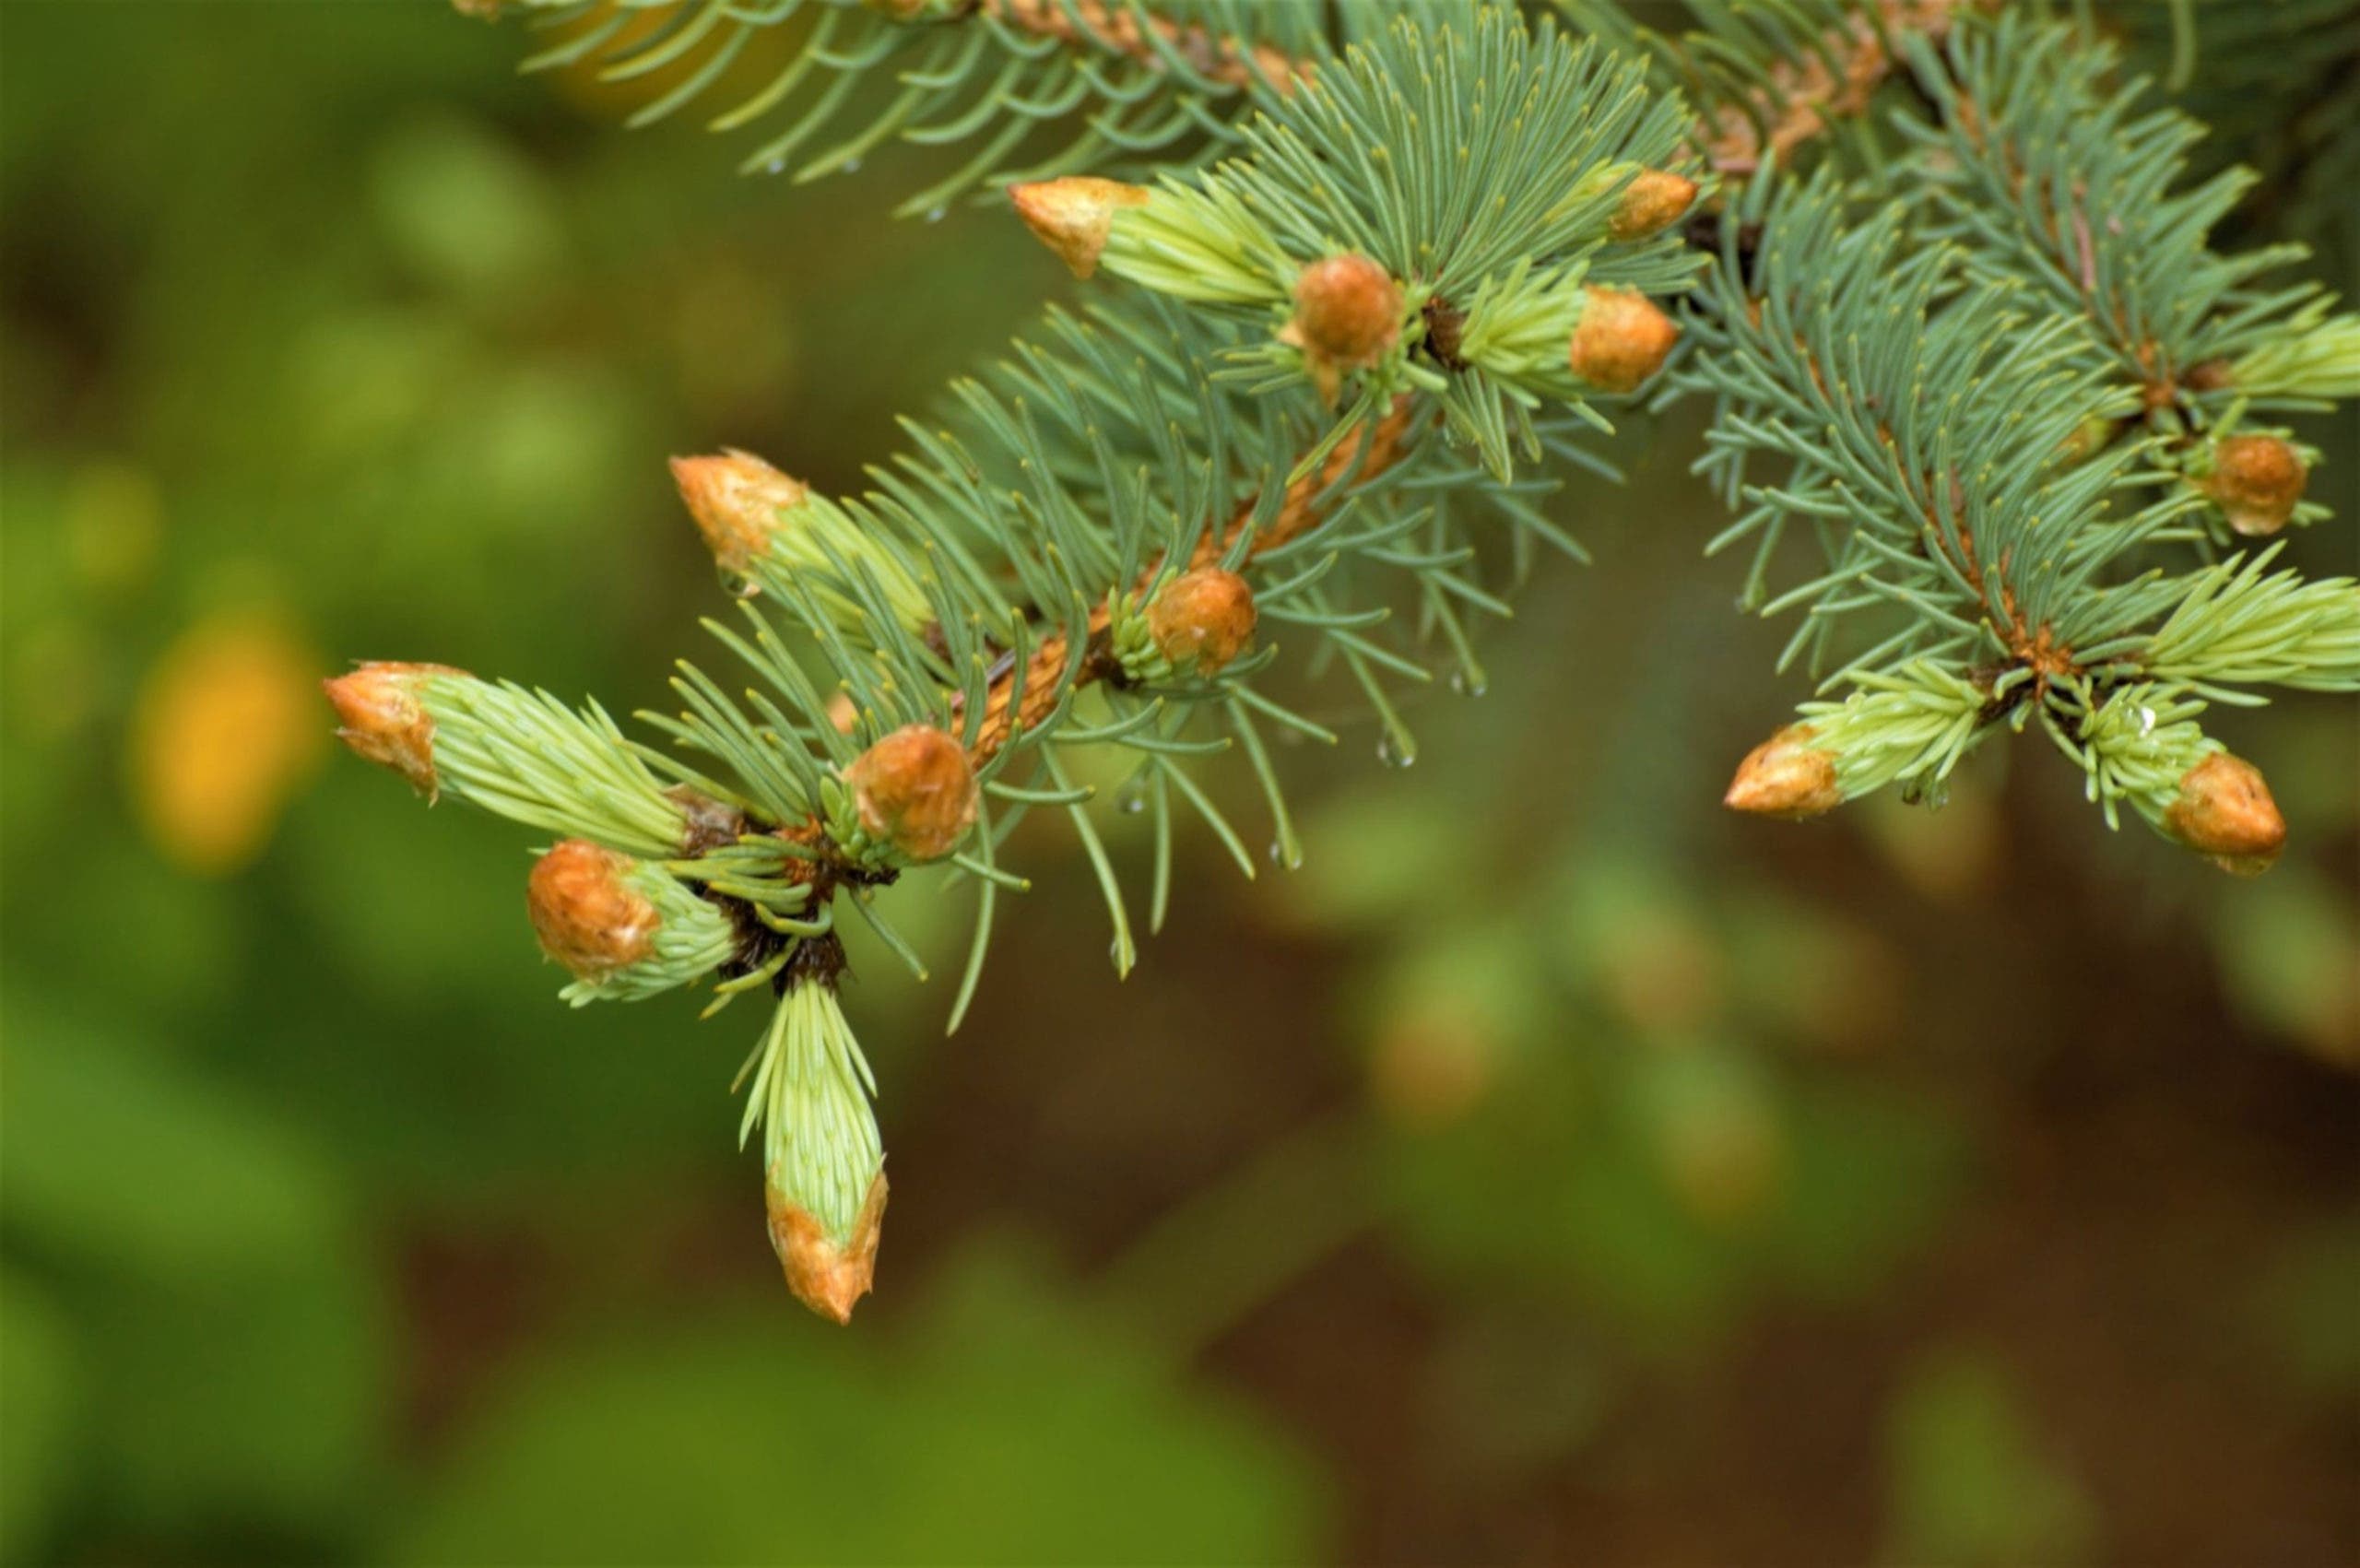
(225, 731)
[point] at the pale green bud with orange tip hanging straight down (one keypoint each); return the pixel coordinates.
(822, 1165)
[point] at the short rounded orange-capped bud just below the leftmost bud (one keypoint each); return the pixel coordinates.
(624, 929)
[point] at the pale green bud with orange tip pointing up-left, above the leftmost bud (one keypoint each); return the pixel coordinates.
(771, 533)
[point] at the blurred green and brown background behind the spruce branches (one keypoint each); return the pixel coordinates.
(1554, 1170)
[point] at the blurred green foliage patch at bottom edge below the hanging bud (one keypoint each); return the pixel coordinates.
(999, 1427)
